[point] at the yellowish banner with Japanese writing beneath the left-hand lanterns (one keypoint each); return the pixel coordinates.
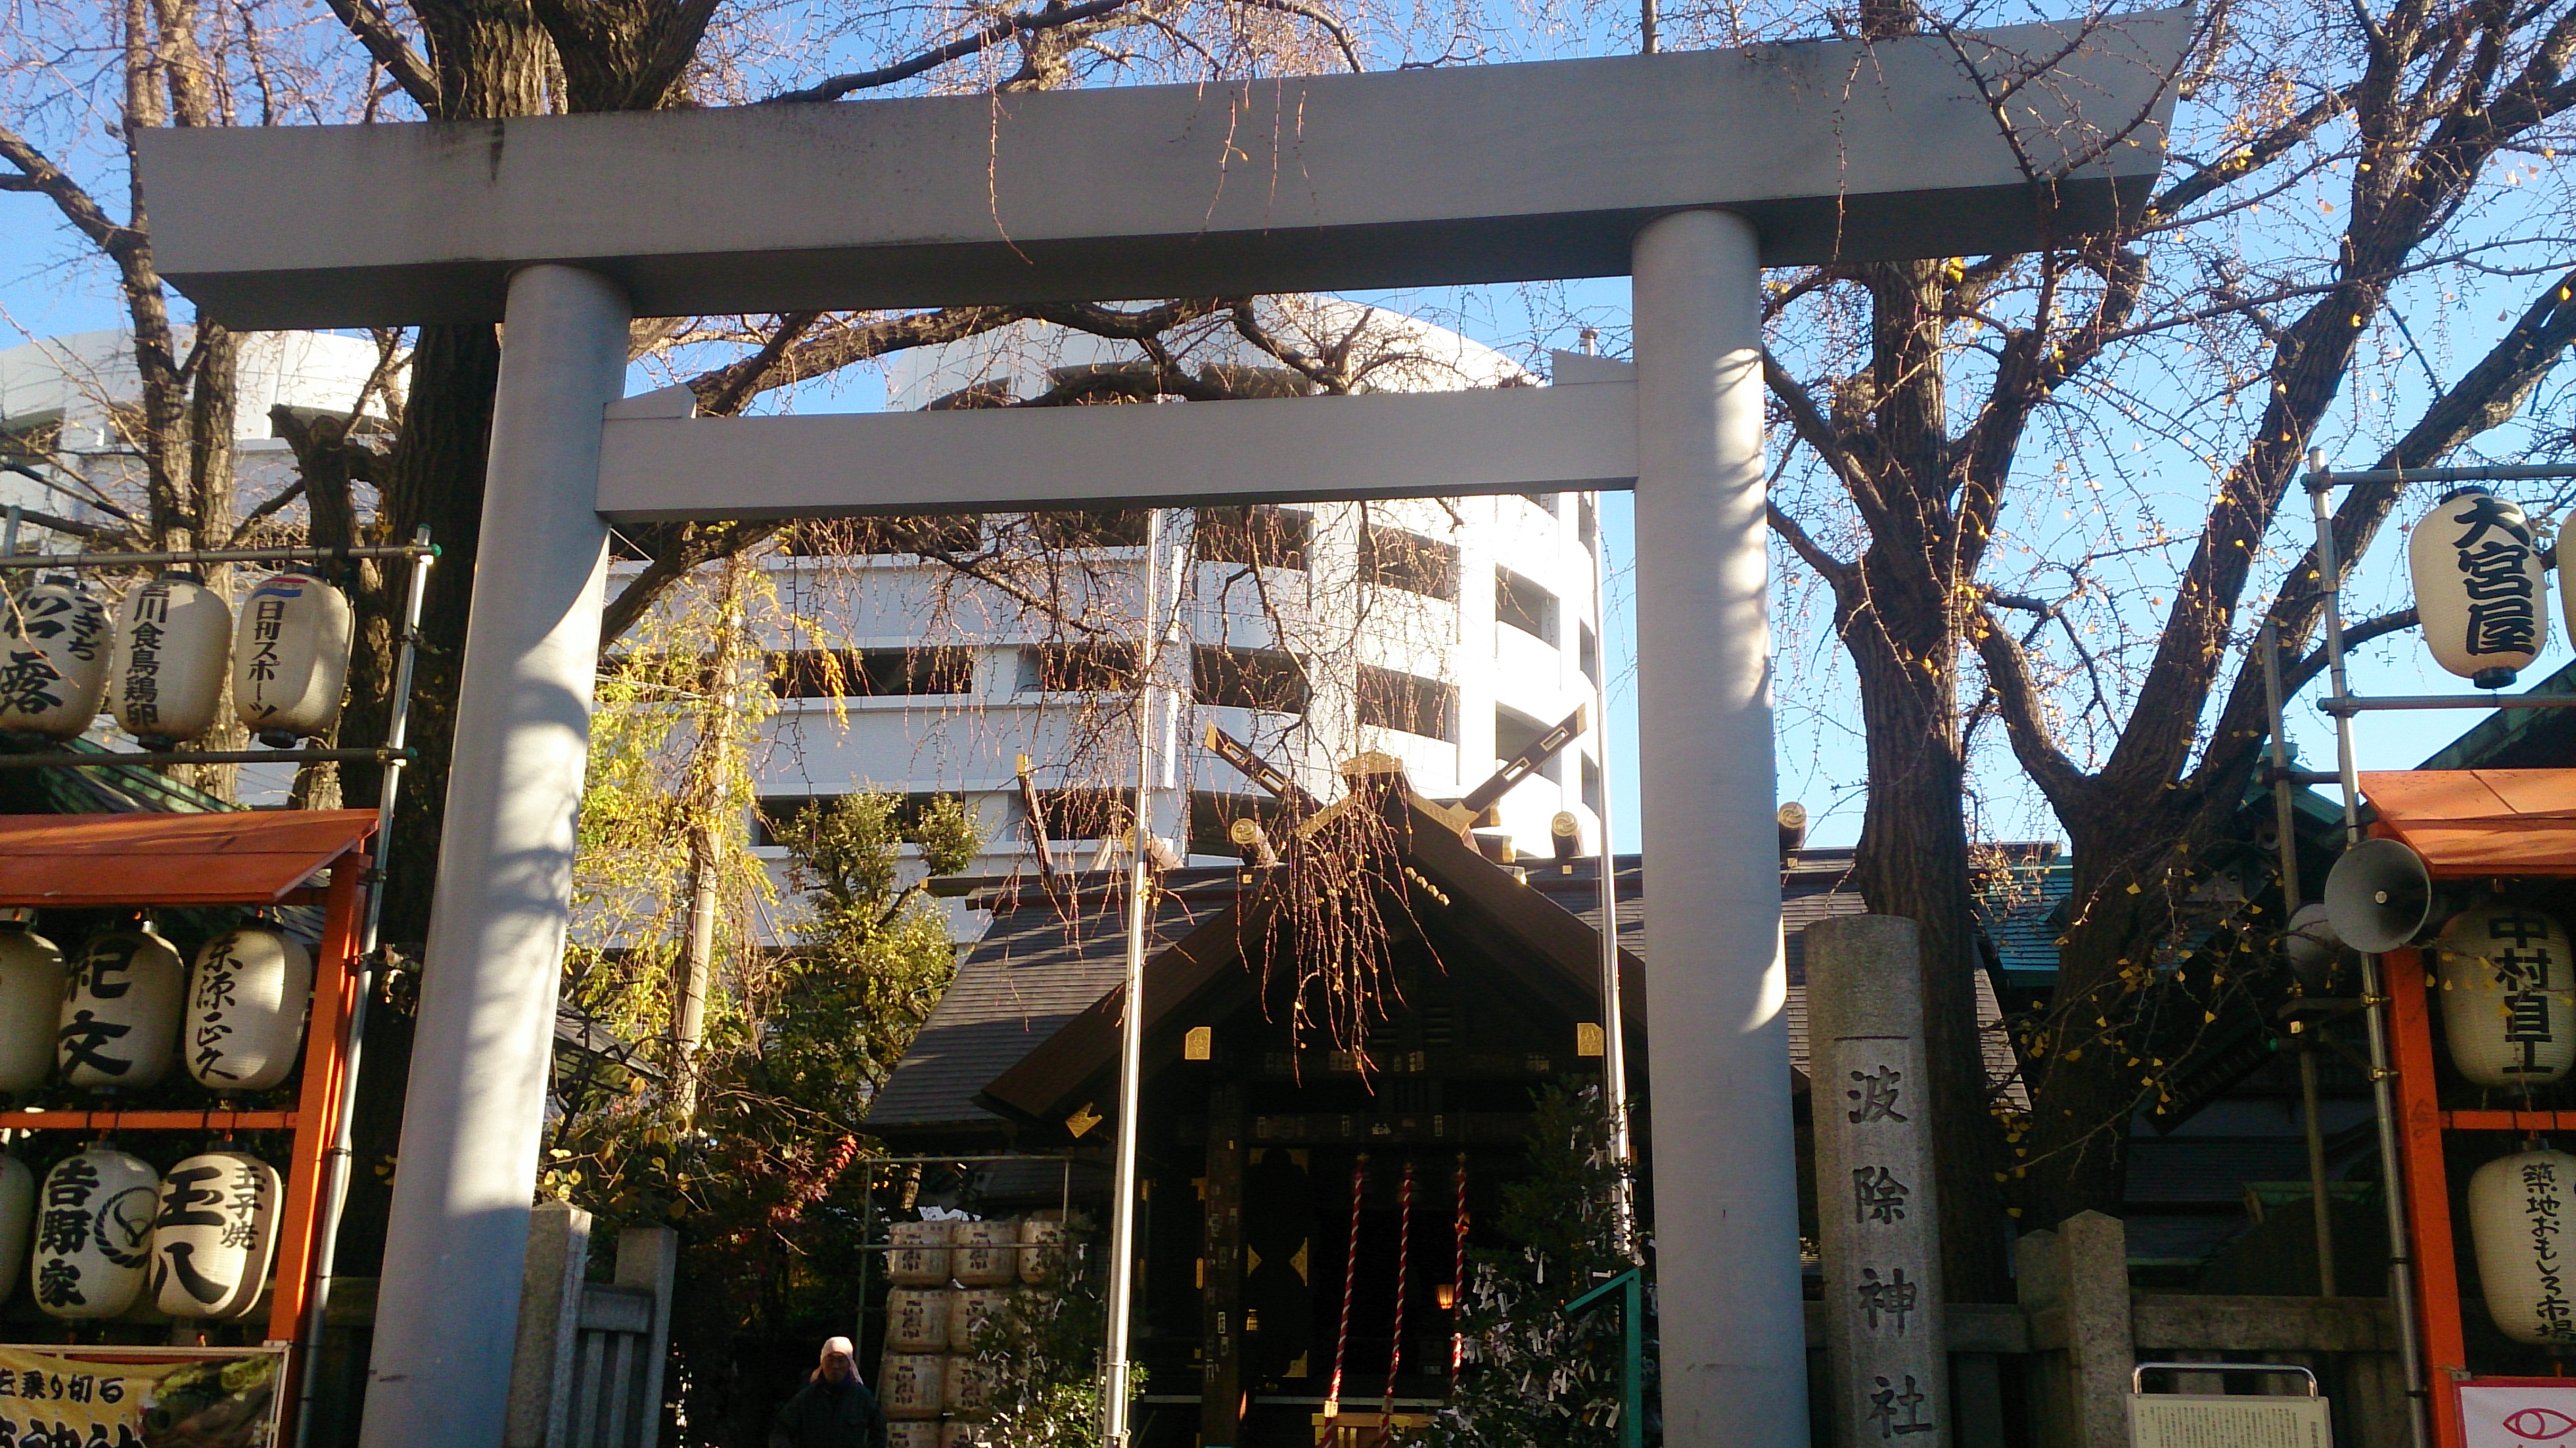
(140, 1398)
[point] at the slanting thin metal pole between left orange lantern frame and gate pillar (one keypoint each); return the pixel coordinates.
(344, 1150)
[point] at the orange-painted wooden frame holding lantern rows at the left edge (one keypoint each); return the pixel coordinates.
(285, 880)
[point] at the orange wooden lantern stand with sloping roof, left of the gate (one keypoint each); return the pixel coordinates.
(246, 859)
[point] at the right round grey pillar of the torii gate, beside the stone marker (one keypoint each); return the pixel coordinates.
(1725, 1179)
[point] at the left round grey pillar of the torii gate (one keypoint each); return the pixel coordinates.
(457, 1238)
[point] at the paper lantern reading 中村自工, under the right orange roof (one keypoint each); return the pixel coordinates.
(2505, 996)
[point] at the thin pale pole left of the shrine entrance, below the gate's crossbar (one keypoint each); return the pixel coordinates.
(1114, 1380)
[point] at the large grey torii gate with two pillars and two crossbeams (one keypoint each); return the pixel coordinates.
(1686, 171)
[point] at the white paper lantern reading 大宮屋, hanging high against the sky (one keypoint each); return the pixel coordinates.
(2479, 586)
